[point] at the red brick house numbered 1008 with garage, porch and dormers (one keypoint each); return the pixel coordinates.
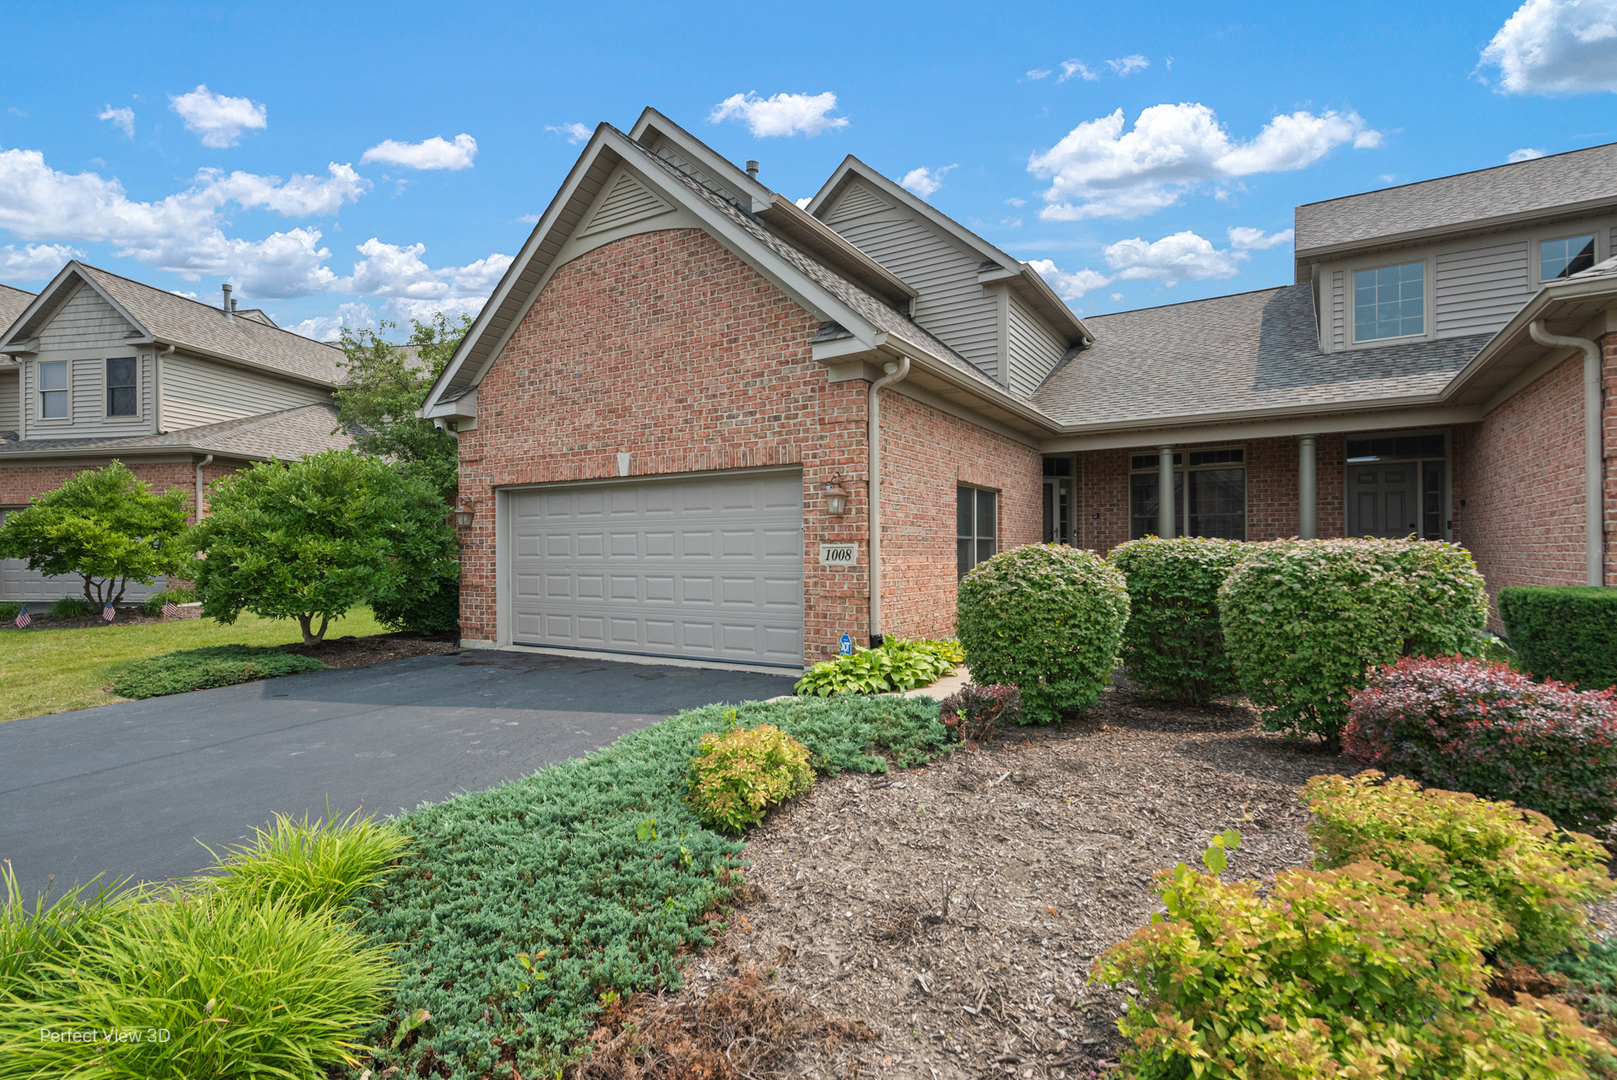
(680, 376)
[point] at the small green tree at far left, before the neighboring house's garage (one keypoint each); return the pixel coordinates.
(108, 528)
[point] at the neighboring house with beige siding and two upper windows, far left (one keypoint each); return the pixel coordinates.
(103, 368)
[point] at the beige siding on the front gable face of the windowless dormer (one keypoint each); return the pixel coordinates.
(952, 305)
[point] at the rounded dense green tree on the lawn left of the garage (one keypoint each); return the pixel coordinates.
(313, 539)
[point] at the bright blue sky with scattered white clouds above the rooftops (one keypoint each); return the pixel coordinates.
(340, 164)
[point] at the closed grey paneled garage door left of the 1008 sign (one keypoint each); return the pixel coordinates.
(701, 568)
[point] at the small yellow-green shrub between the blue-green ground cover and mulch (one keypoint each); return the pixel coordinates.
(737, 777)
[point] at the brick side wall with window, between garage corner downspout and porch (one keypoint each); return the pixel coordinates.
(927, 457)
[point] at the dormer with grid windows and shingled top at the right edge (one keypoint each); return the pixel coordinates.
(1456, 256)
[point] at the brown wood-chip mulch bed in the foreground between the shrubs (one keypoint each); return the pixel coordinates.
(955, 911)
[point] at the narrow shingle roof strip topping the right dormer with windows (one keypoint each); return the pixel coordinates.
(1542, 184)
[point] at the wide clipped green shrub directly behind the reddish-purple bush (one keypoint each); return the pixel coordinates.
(1304, 620)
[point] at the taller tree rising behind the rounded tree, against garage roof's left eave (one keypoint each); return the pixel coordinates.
(386, 386)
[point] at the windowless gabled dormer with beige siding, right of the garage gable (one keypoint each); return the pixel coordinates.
(987, 306)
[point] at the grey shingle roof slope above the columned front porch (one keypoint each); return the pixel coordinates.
(1235, 353)
